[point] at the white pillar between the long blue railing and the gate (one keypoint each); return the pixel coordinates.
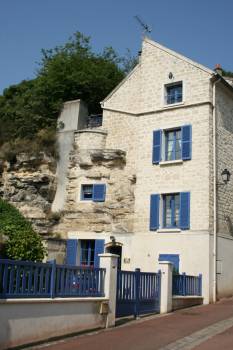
(109, 262)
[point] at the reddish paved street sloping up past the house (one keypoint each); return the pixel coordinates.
(184, 329)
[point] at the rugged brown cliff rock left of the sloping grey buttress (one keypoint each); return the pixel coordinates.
(30, 185)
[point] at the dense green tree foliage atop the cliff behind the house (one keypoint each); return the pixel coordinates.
(67, 72)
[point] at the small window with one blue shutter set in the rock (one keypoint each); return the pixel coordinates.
(95, 192)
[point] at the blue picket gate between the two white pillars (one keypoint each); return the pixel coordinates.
(137, 293)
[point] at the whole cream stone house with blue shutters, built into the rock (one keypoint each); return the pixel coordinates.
(147, 184)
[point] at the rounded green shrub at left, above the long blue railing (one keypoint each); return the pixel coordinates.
(23, 243)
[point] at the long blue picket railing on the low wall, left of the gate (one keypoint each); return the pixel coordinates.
(24, 279)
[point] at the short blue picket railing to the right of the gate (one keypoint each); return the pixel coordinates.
(187, 285)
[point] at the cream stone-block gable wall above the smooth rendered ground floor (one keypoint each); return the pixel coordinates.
(131, 129)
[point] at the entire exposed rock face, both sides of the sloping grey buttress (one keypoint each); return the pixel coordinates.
(30, 184)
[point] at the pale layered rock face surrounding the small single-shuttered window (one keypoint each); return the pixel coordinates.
(89, 166)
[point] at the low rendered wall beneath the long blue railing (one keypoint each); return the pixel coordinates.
(32, 320)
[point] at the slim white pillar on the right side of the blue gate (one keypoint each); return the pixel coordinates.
(166, 268)
